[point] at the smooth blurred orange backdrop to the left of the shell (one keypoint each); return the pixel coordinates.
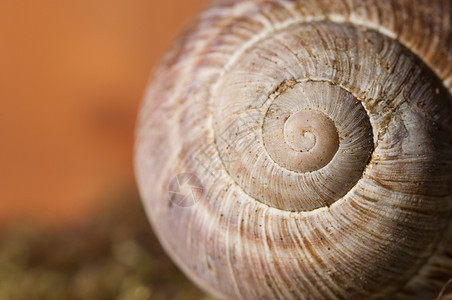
(72, 75)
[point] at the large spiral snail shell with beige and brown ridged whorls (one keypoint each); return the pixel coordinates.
(317, 140)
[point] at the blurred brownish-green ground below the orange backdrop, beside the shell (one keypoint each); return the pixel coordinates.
(116, 256)
